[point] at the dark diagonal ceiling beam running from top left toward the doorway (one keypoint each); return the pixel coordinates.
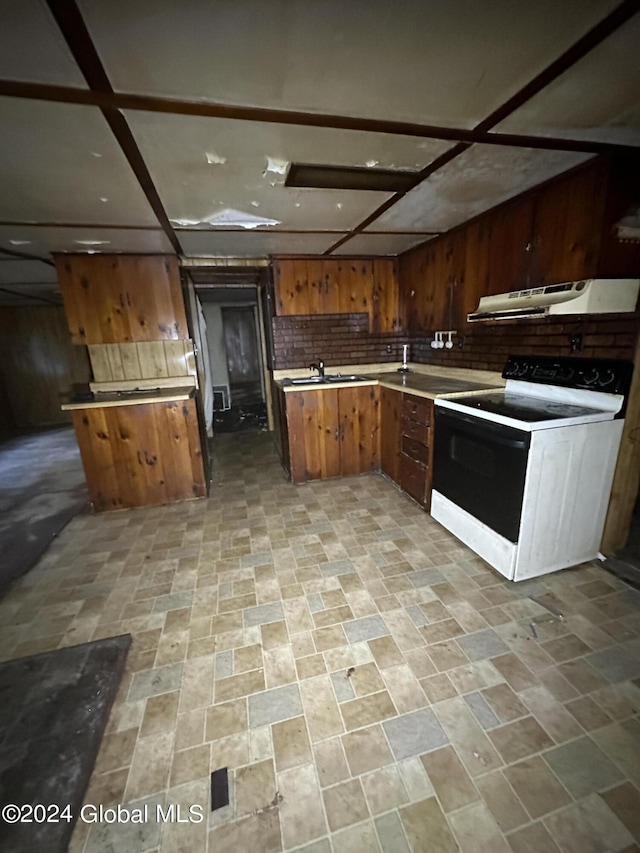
(71, 24)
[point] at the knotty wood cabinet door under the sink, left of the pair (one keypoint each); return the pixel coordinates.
(314, 434)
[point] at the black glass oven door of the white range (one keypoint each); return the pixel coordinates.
(480, 466)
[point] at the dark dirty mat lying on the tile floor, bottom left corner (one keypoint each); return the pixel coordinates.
(53, 711)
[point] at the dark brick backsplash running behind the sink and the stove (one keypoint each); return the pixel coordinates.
(345, 339)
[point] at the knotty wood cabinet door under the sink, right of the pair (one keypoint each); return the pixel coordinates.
(359, 431)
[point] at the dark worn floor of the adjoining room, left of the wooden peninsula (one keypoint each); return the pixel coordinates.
(42, 487)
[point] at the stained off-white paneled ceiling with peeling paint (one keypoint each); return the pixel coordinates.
(66, 183)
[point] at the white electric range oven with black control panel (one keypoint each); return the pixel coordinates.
(523, 476)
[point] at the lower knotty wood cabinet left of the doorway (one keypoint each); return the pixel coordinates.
(142, 454)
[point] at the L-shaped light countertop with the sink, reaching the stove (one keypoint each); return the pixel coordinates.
(419, 381)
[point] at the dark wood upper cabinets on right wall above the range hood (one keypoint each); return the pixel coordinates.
(561, 231)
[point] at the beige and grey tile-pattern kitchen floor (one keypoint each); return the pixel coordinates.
(369, 683)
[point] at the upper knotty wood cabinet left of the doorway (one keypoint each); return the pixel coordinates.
(112, 299)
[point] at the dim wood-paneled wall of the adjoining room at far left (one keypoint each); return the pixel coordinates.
(39, 365)
